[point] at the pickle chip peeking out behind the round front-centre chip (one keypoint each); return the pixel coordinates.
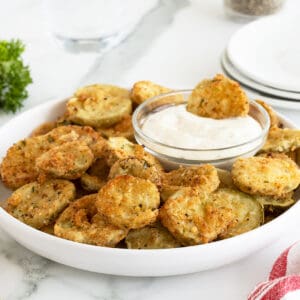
(136, 167)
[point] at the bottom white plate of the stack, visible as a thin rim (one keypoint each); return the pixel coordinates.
(274, 101)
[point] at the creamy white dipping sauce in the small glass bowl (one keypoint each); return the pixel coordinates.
(175, 126)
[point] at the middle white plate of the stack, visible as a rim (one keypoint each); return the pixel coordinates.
(229, 67)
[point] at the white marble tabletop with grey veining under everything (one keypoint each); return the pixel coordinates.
(176, 43)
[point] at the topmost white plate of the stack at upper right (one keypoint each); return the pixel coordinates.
(268, 51)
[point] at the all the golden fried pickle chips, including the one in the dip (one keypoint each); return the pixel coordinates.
(84, 178)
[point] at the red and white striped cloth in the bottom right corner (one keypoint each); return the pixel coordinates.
(284, 278)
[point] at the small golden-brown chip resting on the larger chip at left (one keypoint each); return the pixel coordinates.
(67, 161)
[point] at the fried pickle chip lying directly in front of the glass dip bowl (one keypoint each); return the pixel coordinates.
(204, 178)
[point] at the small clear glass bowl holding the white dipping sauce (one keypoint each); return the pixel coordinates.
(173, 157)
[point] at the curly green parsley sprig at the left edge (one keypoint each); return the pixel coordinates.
(14, 75)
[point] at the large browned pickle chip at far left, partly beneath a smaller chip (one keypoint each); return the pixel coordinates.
(18, 166)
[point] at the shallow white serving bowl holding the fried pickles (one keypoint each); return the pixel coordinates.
(124, 261)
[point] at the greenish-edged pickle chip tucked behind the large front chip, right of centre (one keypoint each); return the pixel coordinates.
(249, 213)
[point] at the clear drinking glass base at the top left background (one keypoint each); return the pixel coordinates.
(92, 25)
